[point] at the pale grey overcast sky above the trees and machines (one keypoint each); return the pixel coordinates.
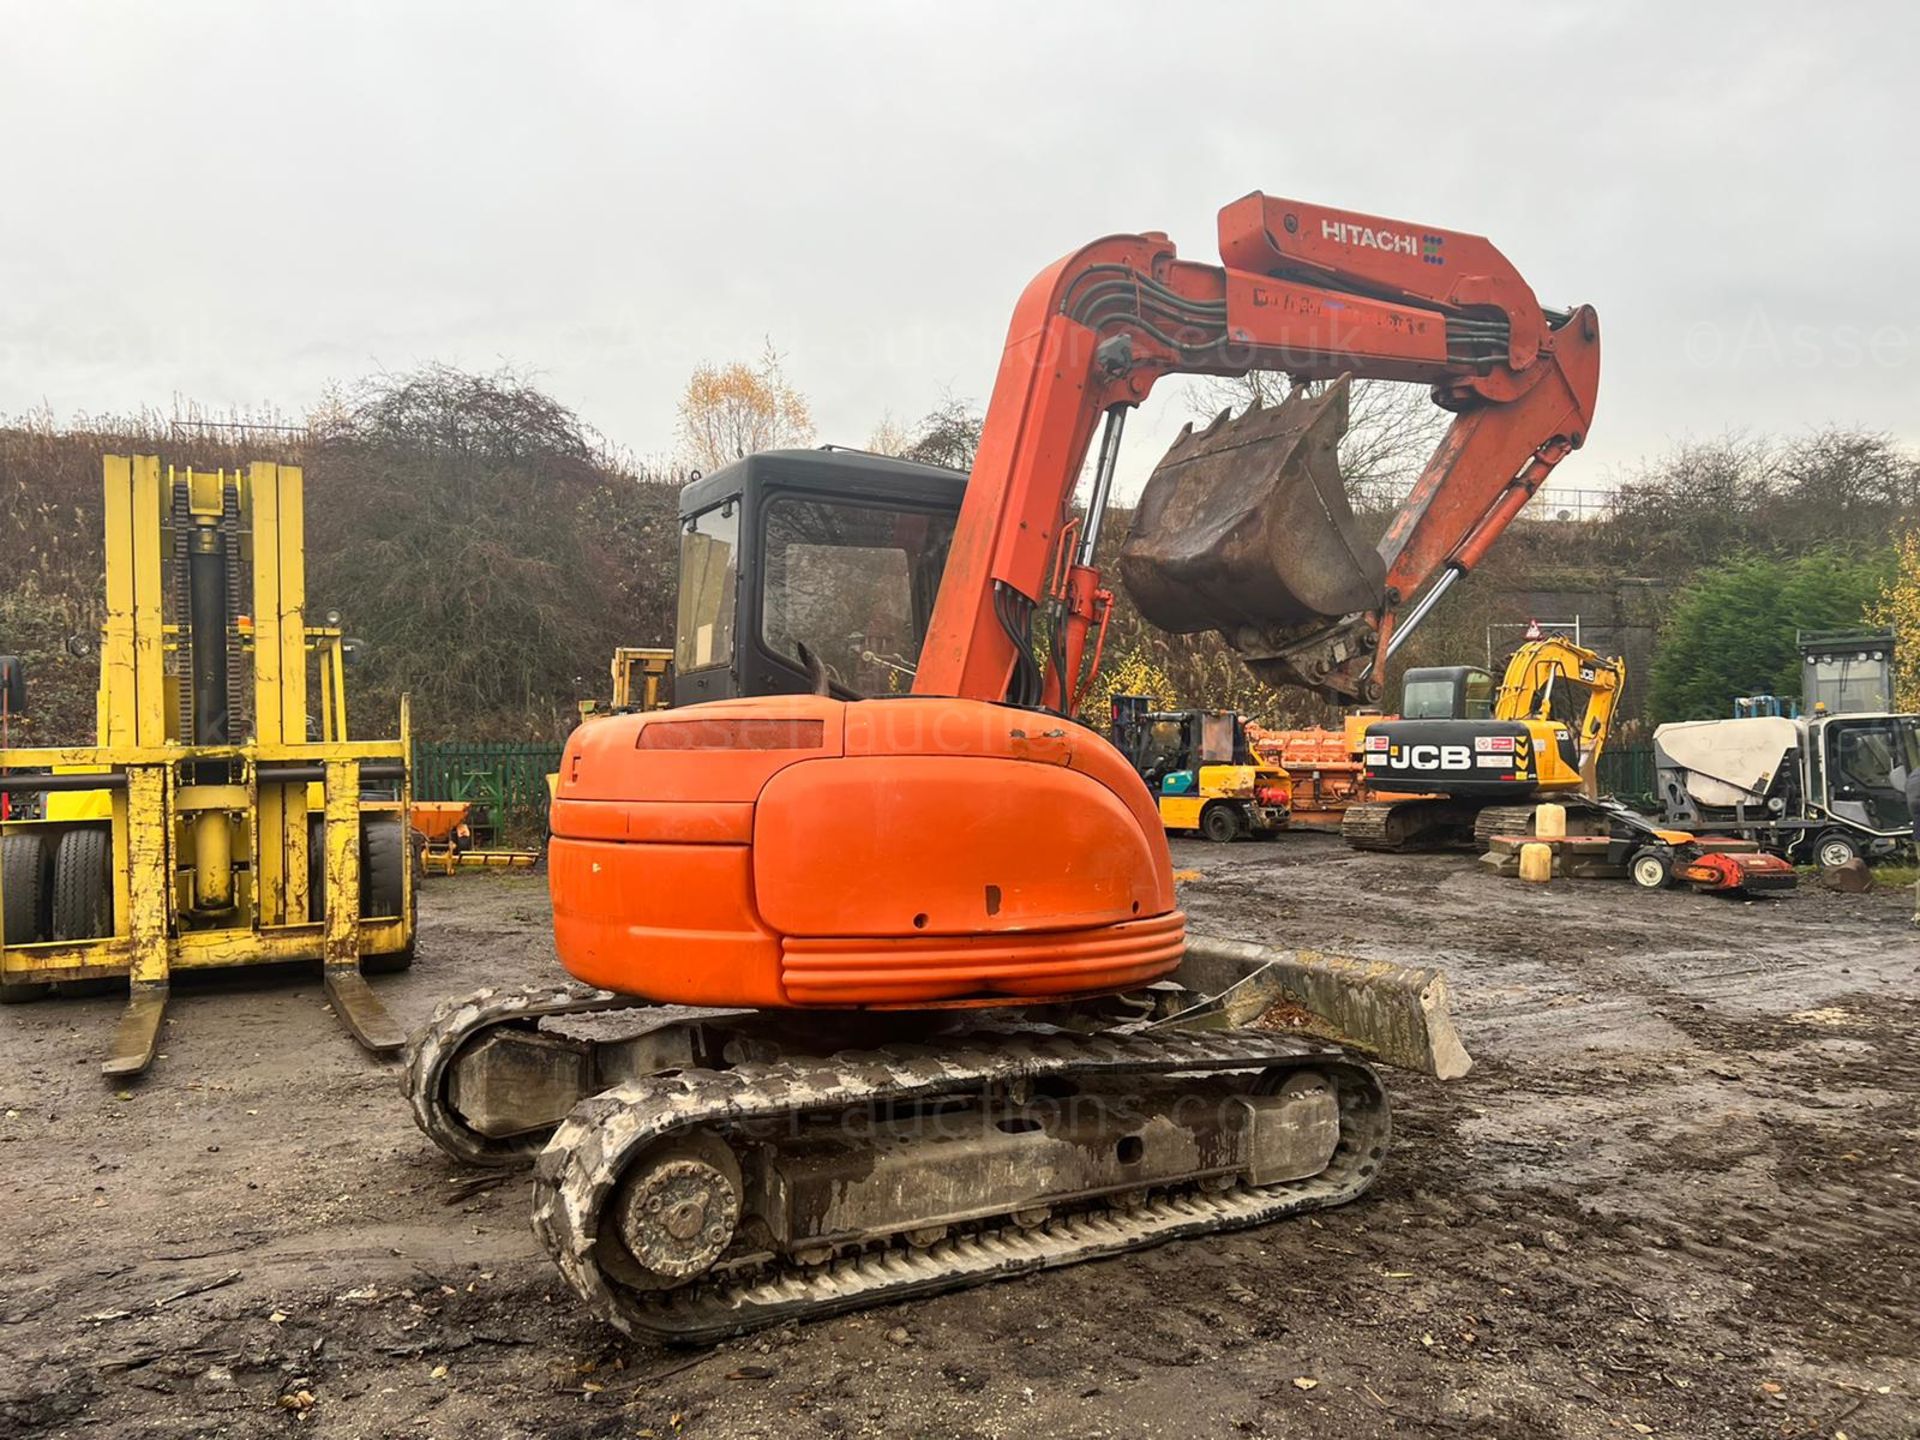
(235, 204)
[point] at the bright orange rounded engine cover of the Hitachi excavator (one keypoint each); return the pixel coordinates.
(805, 852)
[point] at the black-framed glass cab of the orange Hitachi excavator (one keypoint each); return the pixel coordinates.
(809, 571)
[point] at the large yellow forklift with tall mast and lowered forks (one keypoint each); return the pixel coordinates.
(214, 823)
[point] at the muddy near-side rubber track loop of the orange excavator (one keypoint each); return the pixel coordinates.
(577, 1174)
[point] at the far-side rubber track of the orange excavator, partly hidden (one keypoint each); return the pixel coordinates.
(433, 1049)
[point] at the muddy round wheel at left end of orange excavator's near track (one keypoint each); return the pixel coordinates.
(677, 1211)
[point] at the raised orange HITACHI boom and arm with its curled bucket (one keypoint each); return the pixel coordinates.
(1310, 291)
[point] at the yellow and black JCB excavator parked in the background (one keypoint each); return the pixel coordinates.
(1468, 761)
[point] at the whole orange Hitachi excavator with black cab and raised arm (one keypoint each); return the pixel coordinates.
(869, 978)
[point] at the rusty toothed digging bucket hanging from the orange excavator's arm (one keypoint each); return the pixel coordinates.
(1245, 529)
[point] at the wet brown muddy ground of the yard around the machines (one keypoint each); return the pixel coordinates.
(1677, 1197)
